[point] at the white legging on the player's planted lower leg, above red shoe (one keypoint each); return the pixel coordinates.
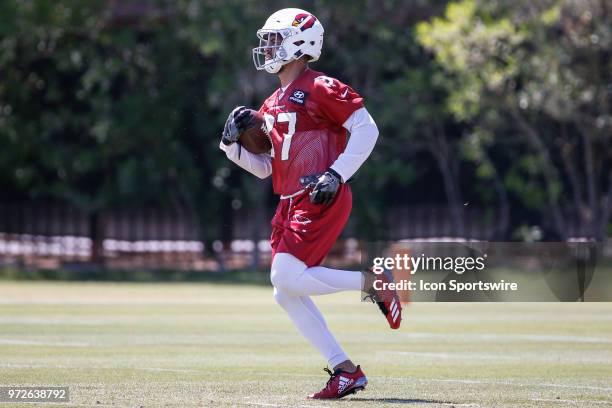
(309, 321)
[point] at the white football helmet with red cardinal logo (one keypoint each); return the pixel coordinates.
(286, 36)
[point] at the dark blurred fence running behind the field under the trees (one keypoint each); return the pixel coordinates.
(52, 235)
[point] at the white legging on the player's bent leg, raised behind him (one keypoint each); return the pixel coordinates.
(290, 275)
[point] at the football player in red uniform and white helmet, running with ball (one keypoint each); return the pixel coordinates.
(307, 119)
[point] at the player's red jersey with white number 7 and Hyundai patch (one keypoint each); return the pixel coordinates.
(305, 125)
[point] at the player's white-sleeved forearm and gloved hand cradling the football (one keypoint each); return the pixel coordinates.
(258, 164)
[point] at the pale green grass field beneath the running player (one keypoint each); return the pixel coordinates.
(211, 345)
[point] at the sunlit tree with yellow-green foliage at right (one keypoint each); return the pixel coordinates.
(540, 71)
